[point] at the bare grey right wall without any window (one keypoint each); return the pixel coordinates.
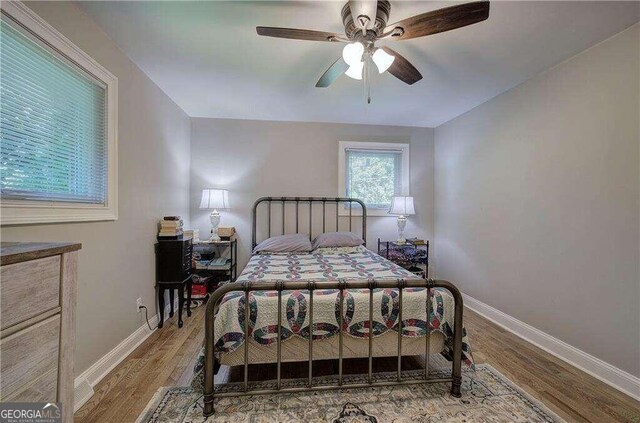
(537, 199)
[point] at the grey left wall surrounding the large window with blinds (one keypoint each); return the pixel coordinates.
(117, 258)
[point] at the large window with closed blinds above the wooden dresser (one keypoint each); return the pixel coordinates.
(57, 133)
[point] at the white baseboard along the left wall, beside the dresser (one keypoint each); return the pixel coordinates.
(84, 383)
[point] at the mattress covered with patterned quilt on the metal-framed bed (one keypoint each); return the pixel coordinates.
(295, 317)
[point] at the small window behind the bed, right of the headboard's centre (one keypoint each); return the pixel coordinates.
(374, 173)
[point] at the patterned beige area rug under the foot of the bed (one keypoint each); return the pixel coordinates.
(487, 396)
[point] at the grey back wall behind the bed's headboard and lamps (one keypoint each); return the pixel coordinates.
(262, 158)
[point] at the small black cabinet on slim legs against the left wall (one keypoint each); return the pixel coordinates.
(173, 271)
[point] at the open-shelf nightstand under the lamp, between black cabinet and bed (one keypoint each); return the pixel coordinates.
(214, 262)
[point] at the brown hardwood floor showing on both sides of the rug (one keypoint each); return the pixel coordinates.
(166, 358)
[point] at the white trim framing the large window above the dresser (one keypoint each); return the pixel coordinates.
(14, 212)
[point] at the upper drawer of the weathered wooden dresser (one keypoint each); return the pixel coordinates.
(19, 300)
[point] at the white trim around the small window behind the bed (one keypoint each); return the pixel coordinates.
(365, 145)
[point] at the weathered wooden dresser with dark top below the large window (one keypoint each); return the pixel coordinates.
(37, 322)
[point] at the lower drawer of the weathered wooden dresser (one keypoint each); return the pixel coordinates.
(28, 355)
